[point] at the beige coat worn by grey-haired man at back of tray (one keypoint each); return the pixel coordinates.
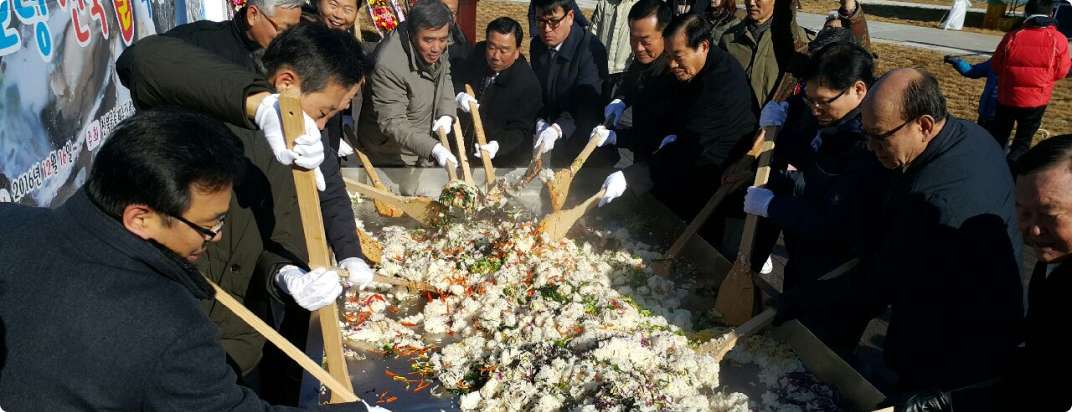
(404, 100)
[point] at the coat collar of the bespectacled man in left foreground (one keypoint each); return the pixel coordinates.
(106, 238)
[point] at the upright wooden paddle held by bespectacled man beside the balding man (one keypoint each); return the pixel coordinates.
(736, 297)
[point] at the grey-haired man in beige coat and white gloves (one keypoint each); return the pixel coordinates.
(411, 96)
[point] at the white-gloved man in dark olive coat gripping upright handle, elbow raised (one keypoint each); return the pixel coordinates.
(263, 236)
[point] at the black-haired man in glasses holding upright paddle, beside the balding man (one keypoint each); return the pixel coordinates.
(829, 202)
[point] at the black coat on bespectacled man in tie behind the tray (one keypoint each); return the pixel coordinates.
(573, 94)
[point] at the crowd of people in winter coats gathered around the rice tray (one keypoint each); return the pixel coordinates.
(868, 167)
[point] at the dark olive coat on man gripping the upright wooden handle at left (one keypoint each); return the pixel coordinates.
(264, 230)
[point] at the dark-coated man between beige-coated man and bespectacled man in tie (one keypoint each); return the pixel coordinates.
(508, 87)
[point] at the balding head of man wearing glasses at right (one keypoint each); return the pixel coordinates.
(902, 114)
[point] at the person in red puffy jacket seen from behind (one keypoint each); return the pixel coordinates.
(1029, 62)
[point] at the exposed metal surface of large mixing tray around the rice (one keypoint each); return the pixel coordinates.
(648, 222)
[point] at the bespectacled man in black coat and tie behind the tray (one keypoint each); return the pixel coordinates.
(572, 67)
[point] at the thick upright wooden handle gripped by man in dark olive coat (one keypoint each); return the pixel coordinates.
(312, 224)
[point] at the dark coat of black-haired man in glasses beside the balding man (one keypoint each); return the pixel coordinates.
(832, 202)
